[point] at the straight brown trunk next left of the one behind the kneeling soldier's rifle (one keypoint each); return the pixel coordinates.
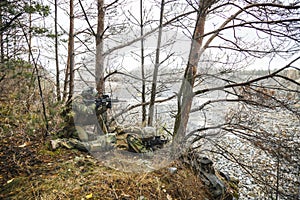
(71, 52)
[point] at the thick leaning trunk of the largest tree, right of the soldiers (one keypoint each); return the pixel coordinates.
(185, 96)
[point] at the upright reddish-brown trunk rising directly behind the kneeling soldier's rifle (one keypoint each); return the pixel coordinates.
(99, 68)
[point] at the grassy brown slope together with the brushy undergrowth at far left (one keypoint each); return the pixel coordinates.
(29, 170)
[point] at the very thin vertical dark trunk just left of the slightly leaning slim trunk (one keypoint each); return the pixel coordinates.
(144, 114)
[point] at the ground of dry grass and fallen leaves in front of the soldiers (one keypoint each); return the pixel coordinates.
(29, 170)
